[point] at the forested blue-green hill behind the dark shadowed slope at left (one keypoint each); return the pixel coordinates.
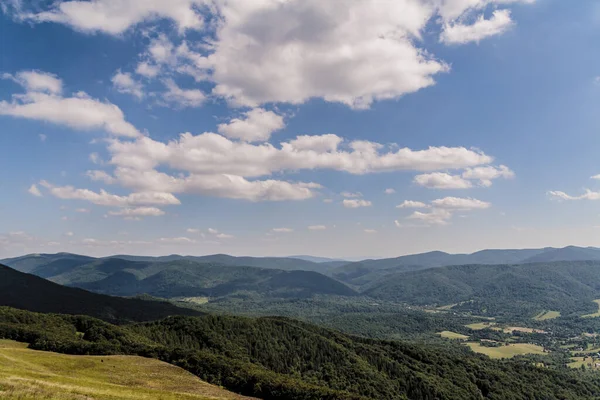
(186, 278)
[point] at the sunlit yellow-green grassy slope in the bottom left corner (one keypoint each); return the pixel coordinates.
(29, 374)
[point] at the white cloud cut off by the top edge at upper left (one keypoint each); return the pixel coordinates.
(115, 17)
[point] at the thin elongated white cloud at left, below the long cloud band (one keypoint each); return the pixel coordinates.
(111, 200)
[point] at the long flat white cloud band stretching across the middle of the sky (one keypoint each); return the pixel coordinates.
(210, 153)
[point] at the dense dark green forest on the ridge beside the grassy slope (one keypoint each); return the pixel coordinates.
(279, 358)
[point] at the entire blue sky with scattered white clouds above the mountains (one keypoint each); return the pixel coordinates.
(478, 118)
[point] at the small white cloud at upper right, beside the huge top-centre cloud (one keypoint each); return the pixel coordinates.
(458, 33)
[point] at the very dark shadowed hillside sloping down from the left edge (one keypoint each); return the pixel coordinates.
(33, 293)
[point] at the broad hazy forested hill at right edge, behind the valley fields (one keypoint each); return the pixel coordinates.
(568, 287)
